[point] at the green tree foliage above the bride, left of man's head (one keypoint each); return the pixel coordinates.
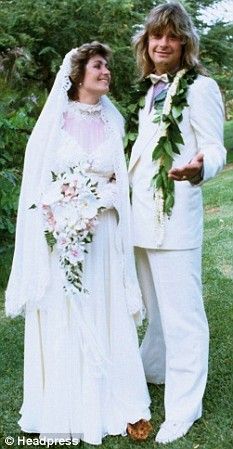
(52, 28)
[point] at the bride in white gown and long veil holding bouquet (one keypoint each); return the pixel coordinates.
(76, 284)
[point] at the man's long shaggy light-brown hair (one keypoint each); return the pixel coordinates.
(171, 16)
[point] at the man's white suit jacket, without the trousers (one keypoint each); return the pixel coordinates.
(202, 130)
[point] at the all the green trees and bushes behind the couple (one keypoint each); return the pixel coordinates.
(34, 37)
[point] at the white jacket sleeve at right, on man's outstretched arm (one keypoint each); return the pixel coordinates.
(207, 120)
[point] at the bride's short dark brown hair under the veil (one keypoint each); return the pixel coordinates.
(79, 61)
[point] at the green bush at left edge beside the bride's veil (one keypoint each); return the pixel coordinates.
(18, 112)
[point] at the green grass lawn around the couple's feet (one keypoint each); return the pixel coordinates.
(213, 430)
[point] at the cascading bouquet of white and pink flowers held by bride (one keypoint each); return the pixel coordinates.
(70, 208)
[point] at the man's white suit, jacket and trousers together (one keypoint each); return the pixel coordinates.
(175, 347)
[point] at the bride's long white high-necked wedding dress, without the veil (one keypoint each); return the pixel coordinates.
(83, 375)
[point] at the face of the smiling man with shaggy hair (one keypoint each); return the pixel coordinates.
(165, 50)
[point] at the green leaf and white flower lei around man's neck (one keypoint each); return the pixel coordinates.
(168, 138)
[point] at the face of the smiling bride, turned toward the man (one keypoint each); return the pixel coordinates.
(97, 76)
